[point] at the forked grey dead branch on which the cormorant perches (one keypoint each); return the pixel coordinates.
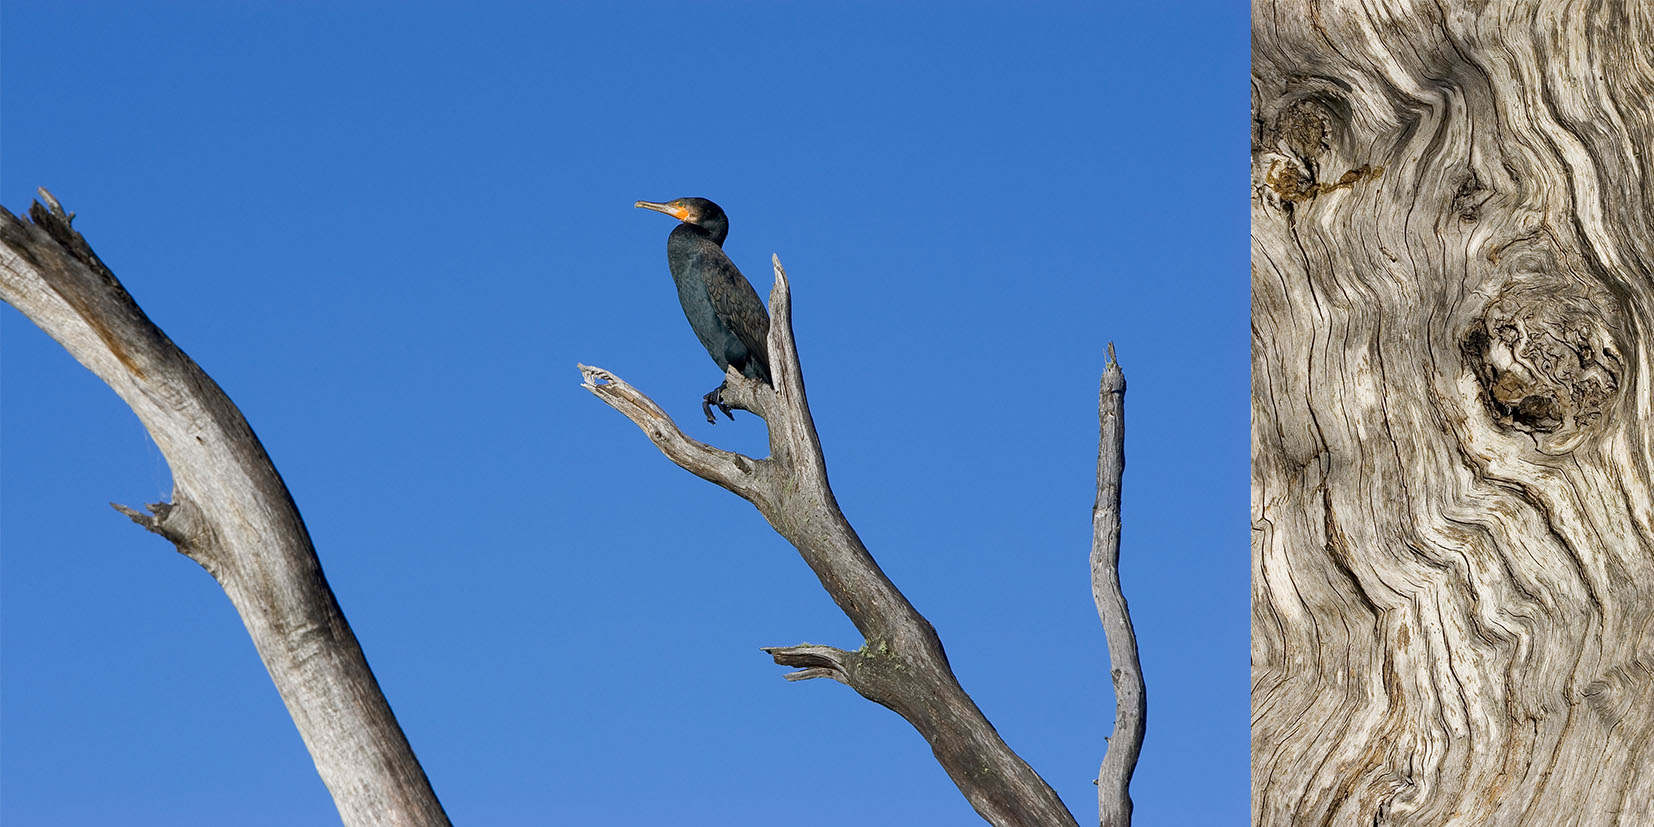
(901, 664)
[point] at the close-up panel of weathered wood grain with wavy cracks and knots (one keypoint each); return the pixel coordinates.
(1453, 434)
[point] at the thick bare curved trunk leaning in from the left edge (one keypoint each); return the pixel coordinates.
(231, 514)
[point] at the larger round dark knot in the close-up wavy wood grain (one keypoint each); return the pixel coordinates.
(1546, 360)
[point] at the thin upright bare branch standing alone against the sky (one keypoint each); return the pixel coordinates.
(1114, 780)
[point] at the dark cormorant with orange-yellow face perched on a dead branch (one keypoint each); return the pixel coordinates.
(720, 304)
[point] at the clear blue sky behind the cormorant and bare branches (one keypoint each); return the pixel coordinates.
(391, 231)
